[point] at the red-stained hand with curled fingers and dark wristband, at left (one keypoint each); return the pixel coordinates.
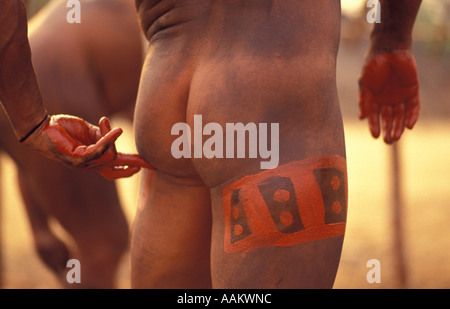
(79, 144)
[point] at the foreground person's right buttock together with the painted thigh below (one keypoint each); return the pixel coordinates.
(274, 159)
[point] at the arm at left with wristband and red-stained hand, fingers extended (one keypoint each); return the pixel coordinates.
(22, 100)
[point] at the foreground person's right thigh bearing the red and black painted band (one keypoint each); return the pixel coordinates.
(281, 228)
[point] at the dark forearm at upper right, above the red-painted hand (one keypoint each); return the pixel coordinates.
(397, 22)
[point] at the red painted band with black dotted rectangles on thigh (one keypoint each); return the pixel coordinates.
(295, 203)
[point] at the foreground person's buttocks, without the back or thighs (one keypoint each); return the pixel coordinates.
(179, 101)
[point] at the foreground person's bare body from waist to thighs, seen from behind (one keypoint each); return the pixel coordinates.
(248, 61)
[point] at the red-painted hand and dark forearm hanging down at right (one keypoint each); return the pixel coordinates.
(389, 86)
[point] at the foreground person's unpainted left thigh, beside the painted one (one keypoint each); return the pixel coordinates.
(171, 236)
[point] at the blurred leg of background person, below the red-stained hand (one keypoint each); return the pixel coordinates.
(88, 209)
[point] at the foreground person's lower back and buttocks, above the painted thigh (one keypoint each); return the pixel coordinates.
(239, 61)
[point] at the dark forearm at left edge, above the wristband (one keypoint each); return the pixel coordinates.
(19, 91)
